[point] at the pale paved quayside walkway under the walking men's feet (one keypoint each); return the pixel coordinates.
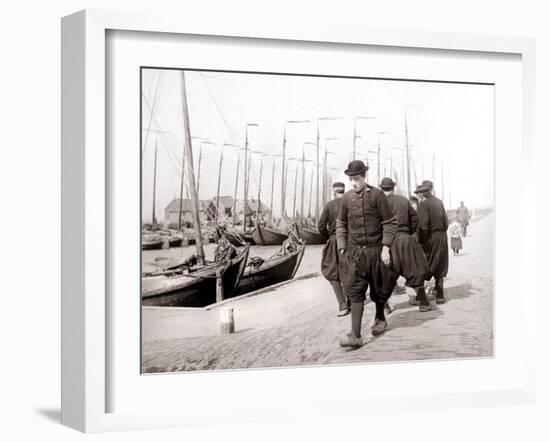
(297, 324)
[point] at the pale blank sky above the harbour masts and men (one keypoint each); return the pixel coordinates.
(451, 123)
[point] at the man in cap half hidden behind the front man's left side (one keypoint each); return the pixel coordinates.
(329, 260)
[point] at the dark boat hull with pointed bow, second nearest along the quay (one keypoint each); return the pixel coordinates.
(272, 272)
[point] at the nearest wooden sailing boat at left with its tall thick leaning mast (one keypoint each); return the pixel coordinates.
(195, 283)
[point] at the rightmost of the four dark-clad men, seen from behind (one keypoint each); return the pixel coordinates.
(432, 235)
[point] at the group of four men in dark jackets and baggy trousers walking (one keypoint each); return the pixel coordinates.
(374, 237)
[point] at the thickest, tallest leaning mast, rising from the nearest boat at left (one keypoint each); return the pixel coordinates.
(190, 173)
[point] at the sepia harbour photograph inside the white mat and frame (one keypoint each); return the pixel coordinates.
(294, 220)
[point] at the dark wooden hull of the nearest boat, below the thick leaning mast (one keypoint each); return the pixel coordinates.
(197, 289)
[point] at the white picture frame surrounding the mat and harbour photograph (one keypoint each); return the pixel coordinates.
(85, 201)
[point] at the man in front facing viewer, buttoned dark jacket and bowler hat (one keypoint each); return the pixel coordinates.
(365, 229)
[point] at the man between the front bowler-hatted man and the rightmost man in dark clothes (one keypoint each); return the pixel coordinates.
(408, 259)
